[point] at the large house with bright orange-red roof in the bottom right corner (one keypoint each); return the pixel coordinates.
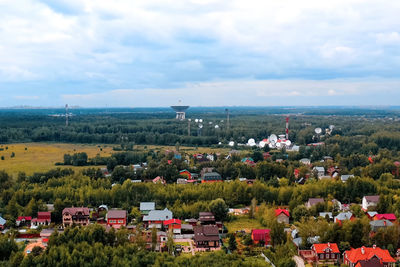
(353, 256)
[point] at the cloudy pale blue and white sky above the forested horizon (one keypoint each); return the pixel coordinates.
(152, 53)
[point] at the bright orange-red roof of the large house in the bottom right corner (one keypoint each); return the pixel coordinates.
(364, 253)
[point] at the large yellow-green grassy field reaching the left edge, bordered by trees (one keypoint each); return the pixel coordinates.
(40, 157)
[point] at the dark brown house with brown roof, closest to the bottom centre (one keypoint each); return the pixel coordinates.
(206, 236)
